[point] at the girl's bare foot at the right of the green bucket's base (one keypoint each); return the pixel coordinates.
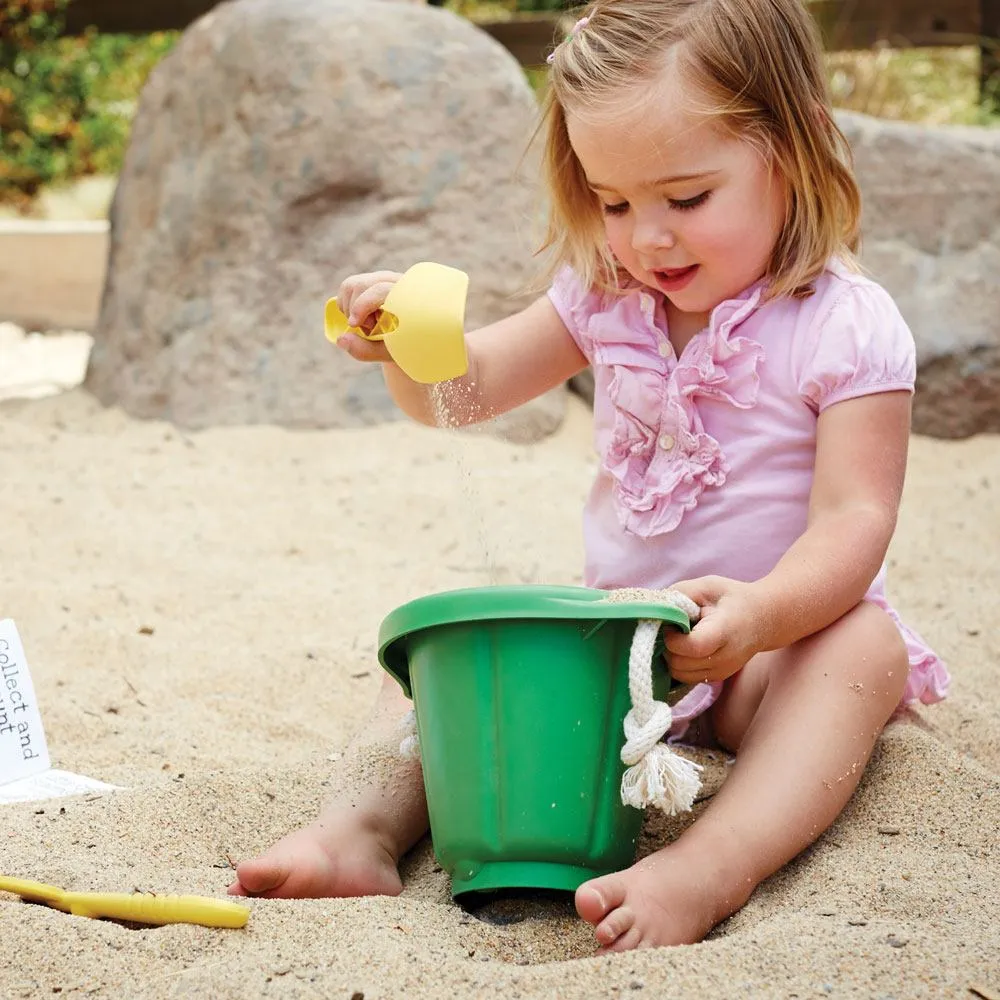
(675, 896)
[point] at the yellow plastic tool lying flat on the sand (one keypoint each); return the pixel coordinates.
(136, 907)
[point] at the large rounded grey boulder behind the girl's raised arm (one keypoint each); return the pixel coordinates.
(280, 147)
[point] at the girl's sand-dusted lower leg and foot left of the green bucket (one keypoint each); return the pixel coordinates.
(377, 814)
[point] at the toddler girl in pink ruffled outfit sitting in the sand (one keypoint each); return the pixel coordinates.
(752, 413)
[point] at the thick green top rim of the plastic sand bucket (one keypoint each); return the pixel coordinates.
(507, 603)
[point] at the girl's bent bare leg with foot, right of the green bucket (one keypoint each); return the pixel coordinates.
(804, 721)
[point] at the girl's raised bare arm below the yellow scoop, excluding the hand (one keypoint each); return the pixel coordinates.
(510, 362)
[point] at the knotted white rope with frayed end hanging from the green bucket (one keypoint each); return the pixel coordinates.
(656, 774)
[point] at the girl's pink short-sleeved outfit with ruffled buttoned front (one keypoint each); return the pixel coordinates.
(707, 459)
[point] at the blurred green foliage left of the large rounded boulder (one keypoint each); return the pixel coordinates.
(65, 103)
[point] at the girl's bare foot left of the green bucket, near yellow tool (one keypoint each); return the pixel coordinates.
(337, 855)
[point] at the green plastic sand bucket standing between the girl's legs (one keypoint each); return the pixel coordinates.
(520, 694)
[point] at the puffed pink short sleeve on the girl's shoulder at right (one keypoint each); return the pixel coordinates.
(861, 345)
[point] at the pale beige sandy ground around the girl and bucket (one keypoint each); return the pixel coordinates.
(200, 612)
